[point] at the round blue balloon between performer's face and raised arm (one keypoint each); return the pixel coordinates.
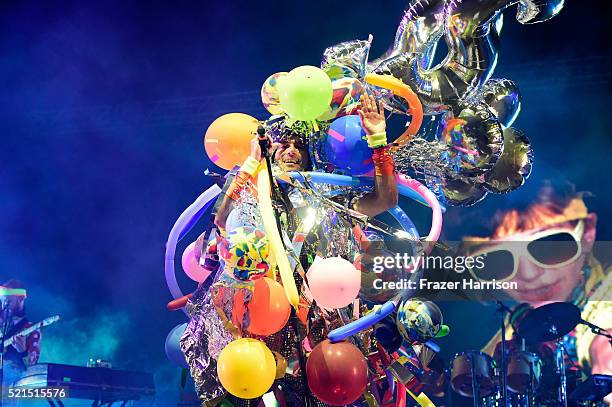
(346, 148)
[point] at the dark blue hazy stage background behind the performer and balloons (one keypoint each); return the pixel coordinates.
(102, 112)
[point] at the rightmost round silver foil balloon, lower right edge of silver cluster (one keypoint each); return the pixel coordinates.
(513, 167)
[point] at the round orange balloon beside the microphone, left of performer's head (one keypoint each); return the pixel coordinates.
(228, 139)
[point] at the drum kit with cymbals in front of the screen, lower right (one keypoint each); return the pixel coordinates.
(519, 379)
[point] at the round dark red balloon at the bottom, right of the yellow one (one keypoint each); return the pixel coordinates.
(337, 372)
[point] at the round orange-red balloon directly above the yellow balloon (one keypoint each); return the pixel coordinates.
(269, 308)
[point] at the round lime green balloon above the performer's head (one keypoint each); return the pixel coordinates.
(305, 93)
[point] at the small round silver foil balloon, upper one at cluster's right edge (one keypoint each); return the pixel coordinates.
(503, 98)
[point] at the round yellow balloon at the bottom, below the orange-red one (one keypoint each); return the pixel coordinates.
(246, 368)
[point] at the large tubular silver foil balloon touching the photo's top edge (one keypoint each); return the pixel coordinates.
(472, 44)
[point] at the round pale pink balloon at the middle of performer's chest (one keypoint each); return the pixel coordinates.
(333, 282)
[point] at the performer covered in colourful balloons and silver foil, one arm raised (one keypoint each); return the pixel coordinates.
(283, 258)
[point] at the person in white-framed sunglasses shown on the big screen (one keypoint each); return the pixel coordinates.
(546, 248)
